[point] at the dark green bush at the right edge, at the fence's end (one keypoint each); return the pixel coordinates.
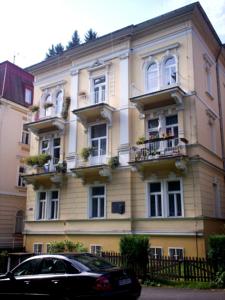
(216, 250)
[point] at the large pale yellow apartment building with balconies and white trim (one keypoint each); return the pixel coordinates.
(161, 80)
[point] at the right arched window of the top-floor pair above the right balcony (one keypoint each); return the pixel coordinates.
(170, 71)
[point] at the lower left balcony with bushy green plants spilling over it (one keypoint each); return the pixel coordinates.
(46, 176)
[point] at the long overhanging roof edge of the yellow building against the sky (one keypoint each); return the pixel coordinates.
(127, 32)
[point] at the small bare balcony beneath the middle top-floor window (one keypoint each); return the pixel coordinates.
(98, 111)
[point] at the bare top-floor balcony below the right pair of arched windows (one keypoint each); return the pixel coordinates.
(158, 99)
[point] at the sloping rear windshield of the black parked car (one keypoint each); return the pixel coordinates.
(92, 262)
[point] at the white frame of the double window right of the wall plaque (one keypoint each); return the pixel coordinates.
(164, 198)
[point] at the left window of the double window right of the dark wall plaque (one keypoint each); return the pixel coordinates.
(155, 199)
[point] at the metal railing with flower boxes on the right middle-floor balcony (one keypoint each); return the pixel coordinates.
(158, 147)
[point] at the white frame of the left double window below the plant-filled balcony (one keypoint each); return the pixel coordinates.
(46, 211)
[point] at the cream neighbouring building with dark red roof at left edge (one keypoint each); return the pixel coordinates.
(16, 94)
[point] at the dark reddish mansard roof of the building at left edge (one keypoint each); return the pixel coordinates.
(13, 81)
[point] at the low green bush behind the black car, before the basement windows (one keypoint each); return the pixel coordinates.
(66, 246)
